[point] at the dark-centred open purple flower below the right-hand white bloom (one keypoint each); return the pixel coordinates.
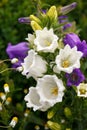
(75, 78)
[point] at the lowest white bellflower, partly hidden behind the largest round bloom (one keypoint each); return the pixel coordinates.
(33, 100)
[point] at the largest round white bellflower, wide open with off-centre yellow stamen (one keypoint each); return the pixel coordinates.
(50, 89)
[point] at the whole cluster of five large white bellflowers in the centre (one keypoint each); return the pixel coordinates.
(49, 89)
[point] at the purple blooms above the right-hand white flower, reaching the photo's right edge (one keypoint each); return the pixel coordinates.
(73, 40)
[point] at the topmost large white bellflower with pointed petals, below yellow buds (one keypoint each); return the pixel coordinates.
(46, 40)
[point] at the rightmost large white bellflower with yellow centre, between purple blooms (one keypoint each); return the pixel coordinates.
(68, 59)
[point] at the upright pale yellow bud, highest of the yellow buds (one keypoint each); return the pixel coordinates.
(52, 12)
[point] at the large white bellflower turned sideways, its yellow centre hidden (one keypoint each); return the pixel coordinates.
(34, 66)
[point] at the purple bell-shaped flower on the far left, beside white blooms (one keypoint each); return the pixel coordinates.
(18, 51)
